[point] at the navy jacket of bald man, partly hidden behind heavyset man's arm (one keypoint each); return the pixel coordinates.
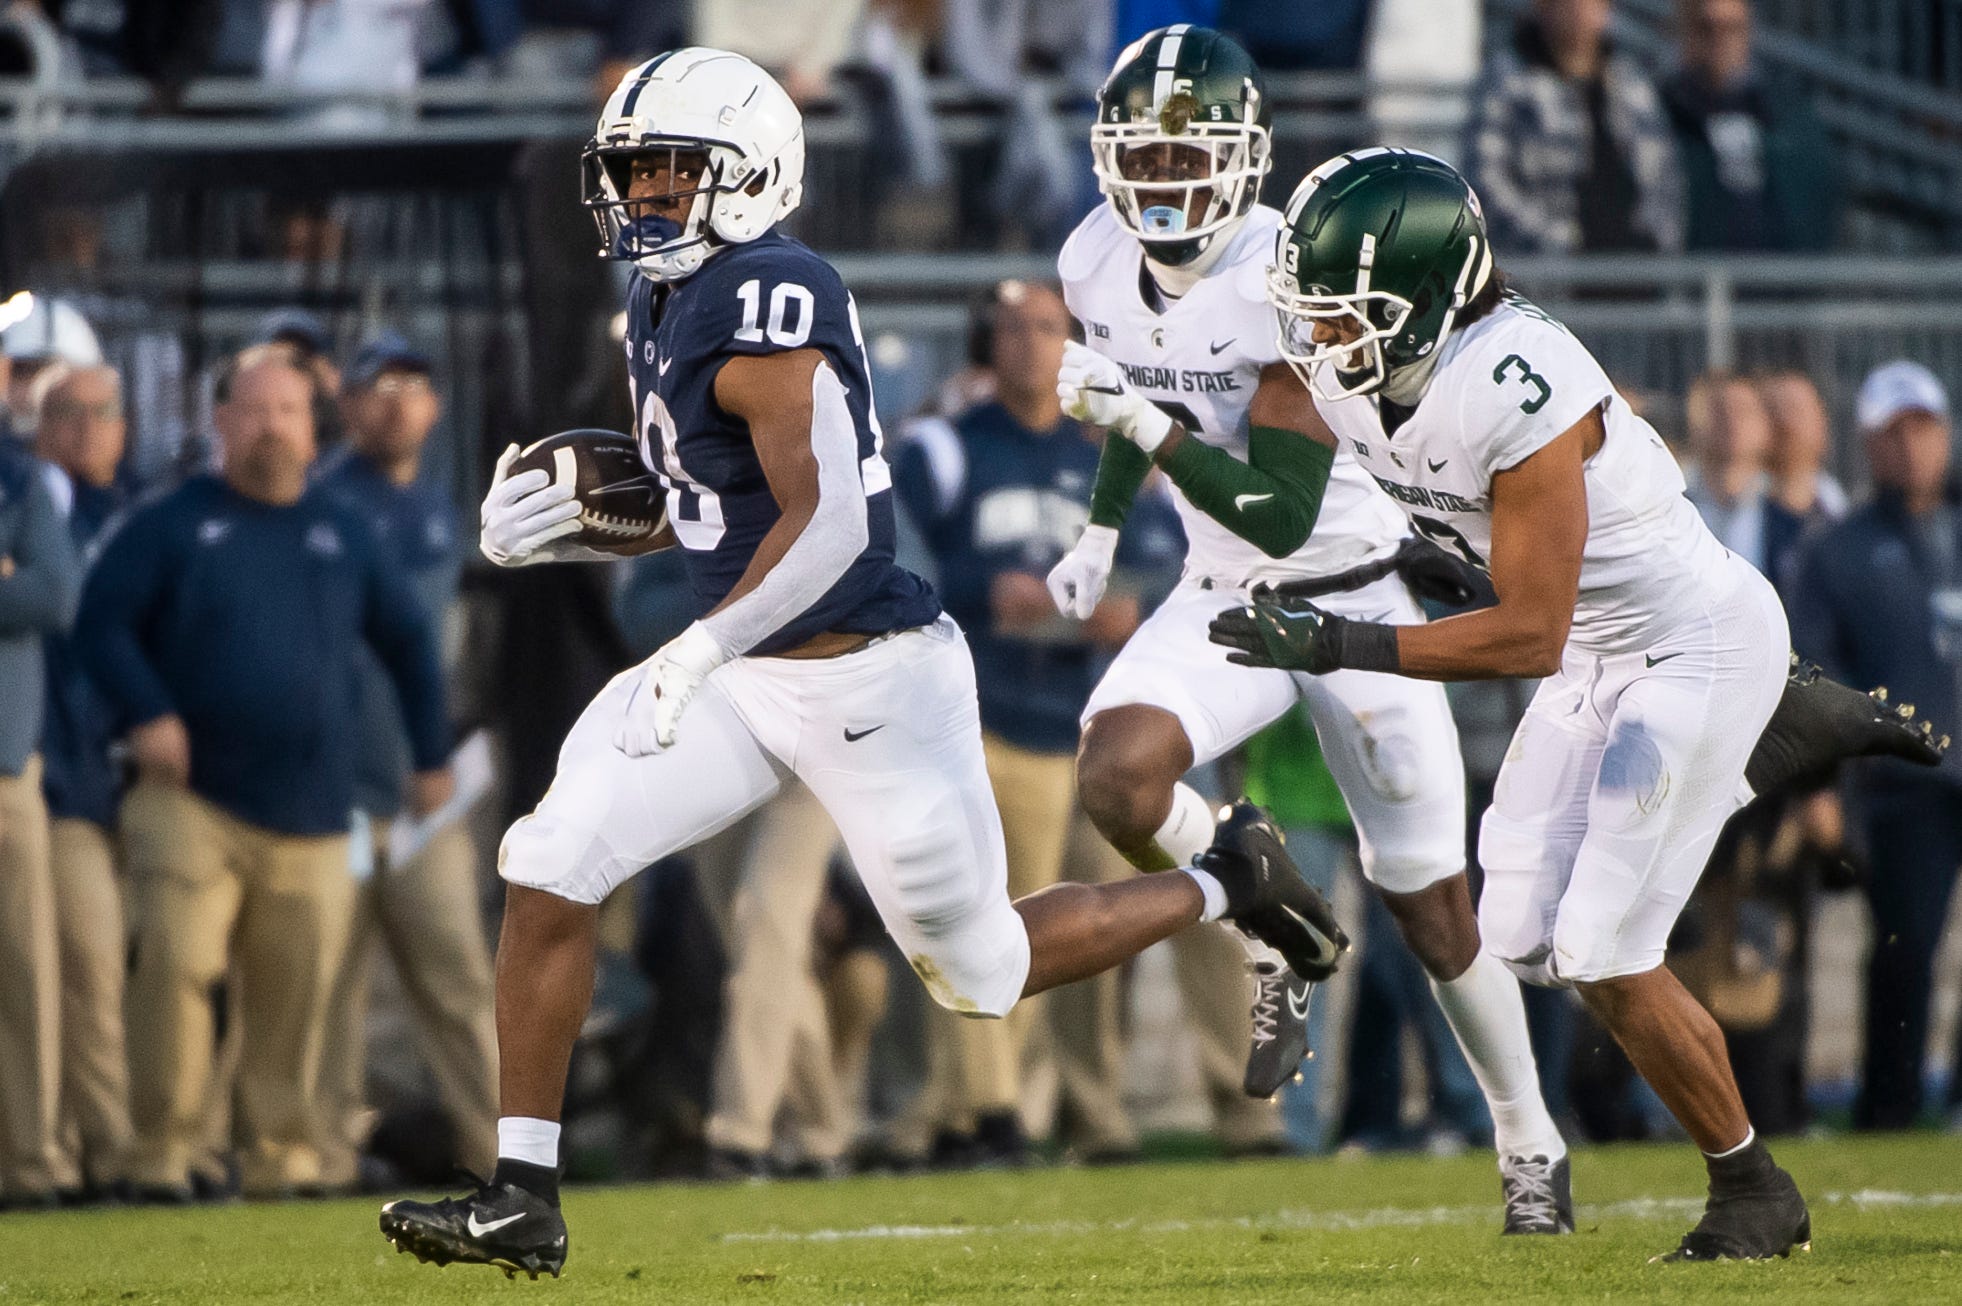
(79, 778)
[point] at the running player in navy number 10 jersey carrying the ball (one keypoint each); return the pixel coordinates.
(815, 654)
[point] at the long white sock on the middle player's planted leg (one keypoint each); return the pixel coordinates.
(1490, 1019)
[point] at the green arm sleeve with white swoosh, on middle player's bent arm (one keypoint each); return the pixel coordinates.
(1270, 501)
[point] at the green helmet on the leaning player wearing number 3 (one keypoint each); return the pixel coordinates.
(1382, 248)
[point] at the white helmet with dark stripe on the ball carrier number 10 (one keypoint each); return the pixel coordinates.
(729, 140)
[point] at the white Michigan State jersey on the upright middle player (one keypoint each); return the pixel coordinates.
(1200, 362)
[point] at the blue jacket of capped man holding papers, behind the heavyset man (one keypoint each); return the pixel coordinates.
(417, 528)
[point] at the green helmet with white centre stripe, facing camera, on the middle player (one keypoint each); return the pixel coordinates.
(1182, 140)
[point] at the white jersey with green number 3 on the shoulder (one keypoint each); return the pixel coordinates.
(1504, 389)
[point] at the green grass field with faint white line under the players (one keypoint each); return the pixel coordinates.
(1886, 1217)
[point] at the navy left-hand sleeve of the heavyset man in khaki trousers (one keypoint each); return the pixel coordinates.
(123, 597)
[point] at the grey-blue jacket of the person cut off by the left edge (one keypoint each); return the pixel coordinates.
(36, 595)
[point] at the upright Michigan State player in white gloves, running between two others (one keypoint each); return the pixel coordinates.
(1168, 281)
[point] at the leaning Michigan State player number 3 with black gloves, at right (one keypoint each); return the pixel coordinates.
(1663, 654)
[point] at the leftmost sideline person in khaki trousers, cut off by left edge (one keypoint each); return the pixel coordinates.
(40, 578)
